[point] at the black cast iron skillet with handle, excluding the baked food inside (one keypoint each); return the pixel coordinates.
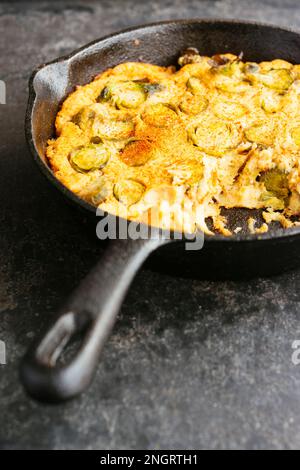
(91, 311)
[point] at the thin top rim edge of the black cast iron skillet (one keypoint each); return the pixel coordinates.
(275, 234)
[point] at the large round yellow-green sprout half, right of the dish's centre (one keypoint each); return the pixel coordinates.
(215, 137)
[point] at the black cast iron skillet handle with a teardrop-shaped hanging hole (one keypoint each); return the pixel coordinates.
(91, 311)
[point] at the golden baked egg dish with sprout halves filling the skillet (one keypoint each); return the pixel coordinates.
(173, 147)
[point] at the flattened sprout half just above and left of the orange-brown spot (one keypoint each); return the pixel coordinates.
(113, 129)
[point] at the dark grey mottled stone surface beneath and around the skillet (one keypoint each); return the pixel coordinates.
(191, 364)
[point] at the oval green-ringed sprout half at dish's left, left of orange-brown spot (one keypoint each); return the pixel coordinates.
(89, 158)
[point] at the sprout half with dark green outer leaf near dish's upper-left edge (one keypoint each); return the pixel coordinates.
(127, 94)
